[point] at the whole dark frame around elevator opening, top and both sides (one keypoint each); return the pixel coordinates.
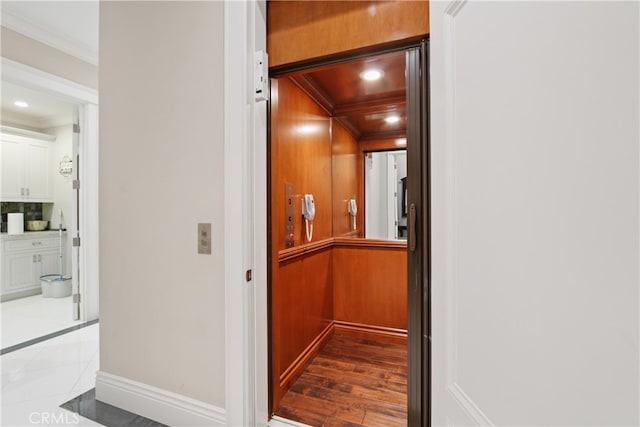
(418, 247)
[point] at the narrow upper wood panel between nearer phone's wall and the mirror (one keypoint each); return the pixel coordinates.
(347, 182)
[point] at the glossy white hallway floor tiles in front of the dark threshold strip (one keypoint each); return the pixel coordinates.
(37, 379)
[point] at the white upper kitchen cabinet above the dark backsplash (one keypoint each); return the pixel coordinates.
(26, 168)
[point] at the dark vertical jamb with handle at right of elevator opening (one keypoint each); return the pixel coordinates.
(419, 255)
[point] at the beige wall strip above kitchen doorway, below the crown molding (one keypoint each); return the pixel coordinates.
(30, 52)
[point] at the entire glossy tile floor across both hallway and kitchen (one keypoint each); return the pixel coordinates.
(38, 378)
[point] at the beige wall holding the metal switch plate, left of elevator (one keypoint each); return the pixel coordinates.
(161, 172)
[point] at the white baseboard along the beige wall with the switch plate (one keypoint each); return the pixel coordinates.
(156, 404)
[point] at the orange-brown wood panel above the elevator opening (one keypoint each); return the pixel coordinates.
(303, 30)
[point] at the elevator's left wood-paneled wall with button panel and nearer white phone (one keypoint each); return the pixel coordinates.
(301, 277)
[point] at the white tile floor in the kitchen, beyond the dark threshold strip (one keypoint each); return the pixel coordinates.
(31, 317)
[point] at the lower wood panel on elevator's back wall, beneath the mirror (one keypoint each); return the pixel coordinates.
(370, 283)
